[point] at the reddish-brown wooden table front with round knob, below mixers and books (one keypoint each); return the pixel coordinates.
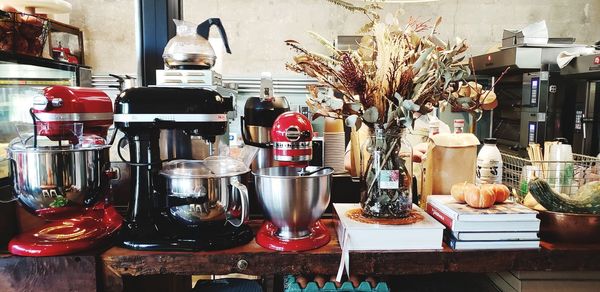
(253, 259)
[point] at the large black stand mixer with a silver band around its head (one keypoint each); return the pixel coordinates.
(152, 223)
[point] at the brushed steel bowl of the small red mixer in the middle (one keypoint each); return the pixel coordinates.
(293, 202)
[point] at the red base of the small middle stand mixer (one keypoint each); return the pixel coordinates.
(319, 236)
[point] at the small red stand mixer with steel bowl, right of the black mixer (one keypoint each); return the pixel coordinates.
(293, 195)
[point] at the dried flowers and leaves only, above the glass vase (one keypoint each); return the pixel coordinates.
(396, 69)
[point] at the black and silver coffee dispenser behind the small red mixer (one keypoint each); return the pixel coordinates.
(259, 115)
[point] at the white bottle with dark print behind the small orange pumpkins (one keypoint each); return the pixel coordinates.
(489, 163)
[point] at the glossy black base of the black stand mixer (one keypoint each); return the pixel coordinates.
(196, 240)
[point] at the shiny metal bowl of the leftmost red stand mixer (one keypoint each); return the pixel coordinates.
(46, 178)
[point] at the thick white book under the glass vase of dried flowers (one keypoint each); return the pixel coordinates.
(354, 235)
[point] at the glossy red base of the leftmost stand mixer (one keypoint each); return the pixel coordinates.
(94, 227)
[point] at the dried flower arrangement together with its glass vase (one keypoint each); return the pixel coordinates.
(397, 70)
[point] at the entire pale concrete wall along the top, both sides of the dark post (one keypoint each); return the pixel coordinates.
(258, 28)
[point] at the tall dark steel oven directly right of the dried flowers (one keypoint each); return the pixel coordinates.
(531, 96)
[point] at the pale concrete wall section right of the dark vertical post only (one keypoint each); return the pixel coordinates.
(257, 28)
